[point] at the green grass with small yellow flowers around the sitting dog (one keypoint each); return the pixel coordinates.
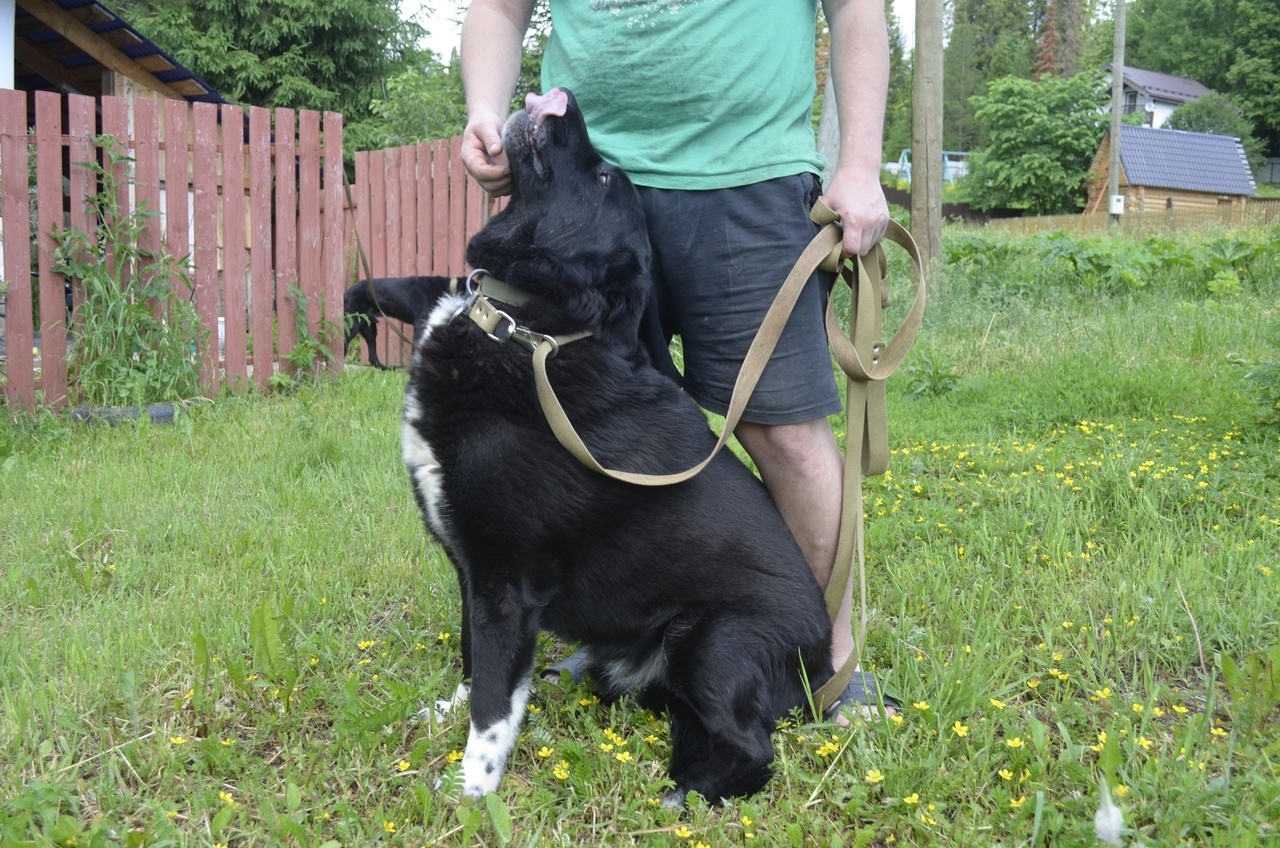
(214, 633)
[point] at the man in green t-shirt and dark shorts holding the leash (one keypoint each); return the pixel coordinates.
(707, 106)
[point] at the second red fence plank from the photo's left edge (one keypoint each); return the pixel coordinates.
(49, 215)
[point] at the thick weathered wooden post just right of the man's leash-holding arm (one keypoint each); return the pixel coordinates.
(927, 136)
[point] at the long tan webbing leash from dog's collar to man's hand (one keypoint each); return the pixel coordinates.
(862, 354)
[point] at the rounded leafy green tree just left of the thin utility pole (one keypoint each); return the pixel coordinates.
(1043, 138)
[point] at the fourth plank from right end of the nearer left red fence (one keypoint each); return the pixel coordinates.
(262, 280)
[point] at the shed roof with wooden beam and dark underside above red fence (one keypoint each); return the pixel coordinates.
(65, 45)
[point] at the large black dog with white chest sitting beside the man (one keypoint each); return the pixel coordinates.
(697, 595)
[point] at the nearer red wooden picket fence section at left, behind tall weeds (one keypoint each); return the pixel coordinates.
(245, 253)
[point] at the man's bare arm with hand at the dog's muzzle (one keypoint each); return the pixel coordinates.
(493, 33)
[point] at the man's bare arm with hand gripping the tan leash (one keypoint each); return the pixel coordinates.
(860, 75)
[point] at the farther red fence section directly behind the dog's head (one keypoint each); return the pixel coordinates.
(415, 211)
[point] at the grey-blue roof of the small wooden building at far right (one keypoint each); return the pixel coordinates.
(1185, 161)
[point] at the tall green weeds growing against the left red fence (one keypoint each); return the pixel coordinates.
(136, 340)
